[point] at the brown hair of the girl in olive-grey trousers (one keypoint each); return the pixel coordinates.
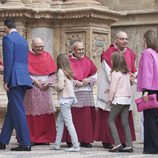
(119, 63)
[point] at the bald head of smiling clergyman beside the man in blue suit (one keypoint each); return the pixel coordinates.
(37, 45)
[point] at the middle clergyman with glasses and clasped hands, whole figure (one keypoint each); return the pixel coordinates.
(83, 112)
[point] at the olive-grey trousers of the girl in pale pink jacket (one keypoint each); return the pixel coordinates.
(124, 111)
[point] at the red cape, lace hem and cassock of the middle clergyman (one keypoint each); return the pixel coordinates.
(83, 113)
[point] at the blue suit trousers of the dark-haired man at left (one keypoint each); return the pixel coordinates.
(15, 117)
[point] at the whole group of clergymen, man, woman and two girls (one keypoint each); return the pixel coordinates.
(30, 75)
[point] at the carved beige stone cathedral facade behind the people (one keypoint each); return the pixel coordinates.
(60, 22)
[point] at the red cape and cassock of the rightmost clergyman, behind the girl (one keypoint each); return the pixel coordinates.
(102, 131)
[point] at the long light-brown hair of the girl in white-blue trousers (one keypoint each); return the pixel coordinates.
(64, 64)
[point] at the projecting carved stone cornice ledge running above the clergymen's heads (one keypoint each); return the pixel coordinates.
(60, 14)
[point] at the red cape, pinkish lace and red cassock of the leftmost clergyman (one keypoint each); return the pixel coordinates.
(41, 122)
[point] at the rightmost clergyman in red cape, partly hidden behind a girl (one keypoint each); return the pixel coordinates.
(102, 132)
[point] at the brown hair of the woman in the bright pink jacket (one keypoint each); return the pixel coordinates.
(151, 40)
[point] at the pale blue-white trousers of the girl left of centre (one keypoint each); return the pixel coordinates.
(65, 116)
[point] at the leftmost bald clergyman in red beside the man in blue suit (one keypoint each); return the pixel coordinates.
(38, 101)
